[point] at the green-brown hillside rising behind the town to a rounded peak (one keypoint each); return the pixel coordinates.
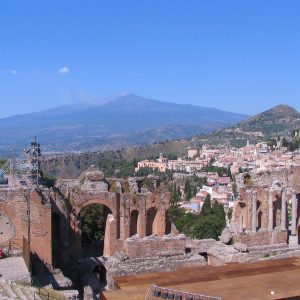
(279, 120)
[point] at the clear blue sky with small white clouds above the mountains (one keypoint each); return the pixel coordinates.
(241, 56)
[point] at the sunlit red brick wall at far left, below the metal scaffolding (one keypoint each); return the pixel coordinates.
(16, 204)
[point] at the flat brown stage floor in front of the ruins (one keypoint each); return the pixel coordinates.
(234, 281)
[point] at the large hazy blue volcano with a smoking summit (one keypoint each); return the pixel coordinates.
(120, 121)
